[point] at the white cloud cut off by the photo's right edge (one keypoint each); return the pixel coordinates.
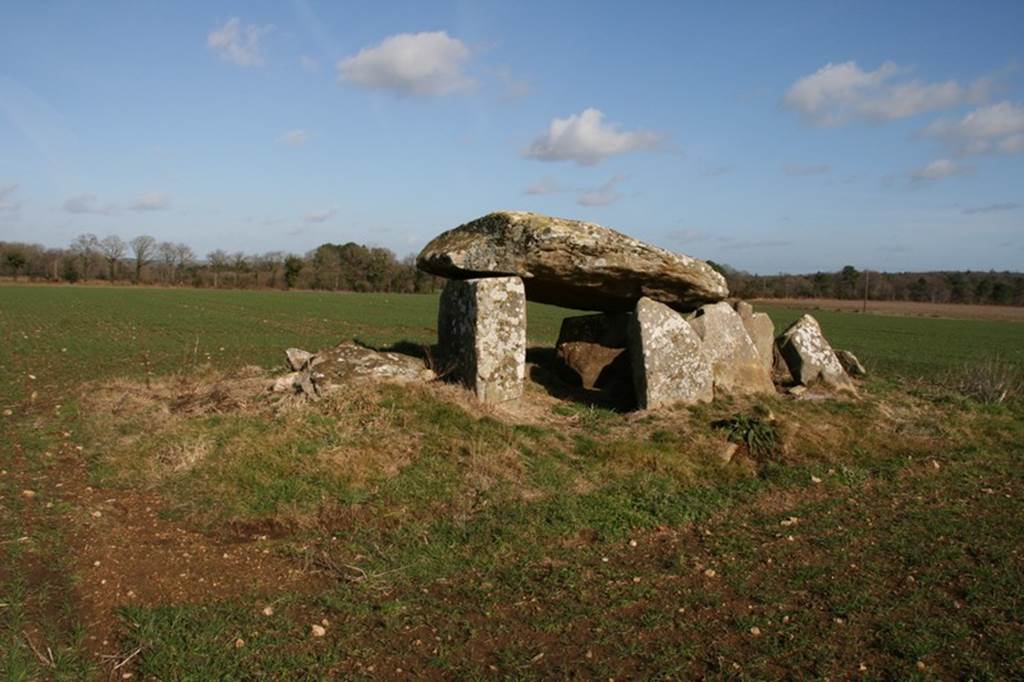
(997, 129)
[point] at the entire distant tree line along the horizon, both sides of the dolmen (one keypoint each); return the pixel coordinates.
(356, 268)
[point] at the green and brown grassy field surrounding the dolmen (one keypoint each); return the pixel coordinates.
(162, 517)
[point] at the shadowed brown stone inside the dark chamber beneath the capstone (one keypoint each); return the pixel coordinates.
(593, 348)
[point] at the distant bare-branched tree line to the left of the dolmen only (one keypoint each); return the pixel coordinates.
(145, 261)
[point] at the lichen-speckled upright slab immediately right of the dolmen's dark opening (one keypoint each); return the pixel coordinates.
(667, 358)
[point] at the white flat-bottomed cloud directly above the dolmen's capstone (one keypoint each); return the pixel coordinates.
(586, 140)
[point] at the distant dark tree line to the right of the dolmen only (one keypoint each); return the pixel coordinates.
(999, 288)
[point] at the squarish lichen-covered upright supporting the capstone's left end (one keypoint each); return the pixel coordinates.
(482, 334)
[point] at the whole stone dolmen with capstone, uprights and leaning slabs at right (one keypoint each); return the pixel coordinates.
(662, 317)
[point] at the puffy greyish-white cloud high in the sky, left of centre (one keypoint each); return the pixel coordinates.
(420, 64)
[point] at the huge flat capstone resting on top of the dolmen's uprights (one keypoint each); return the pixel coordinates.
(572, 264)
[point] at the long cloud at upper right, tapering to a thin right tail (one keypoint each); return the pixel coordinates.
(840, 93)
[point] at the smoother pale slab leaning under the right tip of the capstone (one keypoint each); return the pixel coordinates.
(737, 365)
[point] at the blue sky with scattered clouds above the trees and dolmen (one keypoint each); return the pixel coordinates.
(771, 137)
